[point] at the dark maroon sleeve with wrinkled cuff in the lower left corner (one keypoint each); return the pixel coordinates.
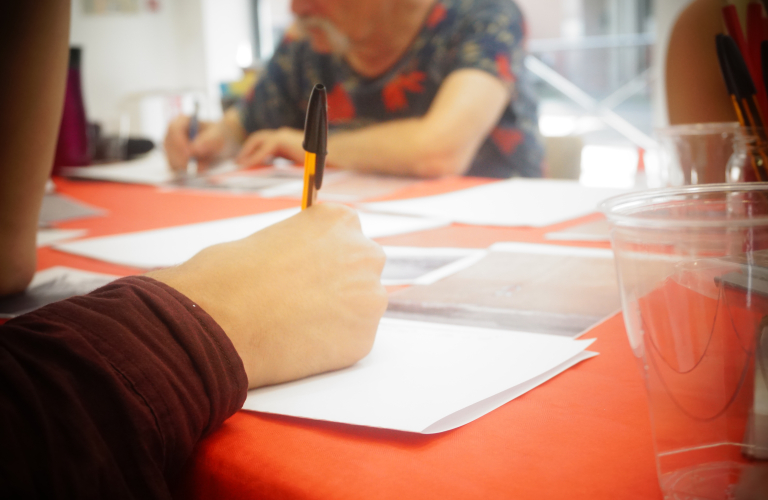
(105, 395)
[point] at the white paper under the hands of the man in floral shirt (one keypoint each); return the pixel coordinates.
(150, 169)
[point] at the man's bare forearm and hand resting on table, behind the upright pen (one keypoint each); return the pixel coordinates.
(443, 142)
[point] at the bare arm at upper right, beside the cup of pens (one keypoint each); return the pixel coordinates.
(696, 92)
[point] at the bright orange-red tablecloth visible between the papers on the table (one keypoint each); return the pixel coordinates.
(583, 435)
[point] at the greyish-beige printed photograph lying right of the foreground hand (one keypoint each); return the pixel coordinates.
(548, 289)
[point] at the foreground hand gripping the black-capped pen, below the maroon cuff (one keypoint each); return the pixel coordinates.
(301, 297)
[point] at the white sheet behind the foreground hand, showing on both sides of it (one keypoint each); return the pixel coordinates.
(173, 245)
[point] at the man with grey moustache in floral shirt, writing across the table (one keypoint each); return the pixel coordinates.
(415, 87)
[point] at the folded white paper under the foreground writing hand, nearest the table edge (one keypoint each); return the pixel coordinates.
(425, 377)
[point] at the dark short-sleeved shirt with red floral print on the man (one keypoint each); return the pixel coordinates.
(481, 34)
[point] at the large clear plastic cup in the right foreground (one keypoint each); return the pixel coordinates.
(692, 264)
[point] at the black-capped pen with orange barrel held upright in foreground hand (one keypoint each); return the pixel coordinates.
(315, 144)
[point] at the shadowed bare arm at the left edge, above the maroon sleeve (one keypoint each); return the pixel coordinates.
(35, 37)
